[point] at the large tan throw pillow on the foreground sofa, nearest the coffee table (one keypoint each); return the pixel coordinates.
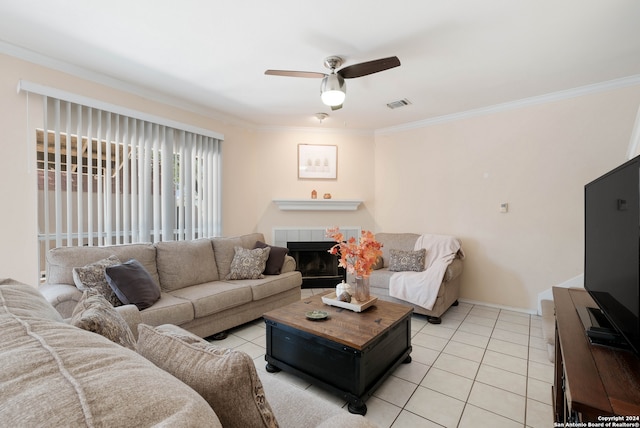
(226, 378)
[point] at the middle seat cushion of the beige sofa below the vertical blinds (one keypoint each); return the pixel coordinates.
(214, 297)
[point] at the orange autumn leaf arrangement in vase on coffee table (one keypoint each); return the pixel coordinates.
(358, 258)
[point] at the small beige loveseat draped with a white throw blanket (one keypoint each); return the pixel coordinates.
(448, 292)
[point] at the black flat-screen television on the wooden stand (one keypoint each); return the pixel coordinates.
(612, 255)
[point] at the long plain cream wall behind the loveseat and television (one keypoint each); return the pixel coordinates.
(451, 178)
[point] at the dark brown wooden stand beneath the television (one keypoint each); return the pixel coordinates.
(591, 382)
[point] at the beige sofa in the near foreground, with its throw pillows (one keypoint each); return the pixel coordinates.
(56, 374)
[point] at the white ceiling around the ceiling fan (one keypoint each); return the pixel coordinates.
(456, 55)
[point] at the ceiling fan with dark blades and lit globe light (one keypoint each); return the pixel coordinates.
(333, 89)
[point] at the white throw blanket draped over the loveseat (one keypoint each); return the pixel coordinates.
(421, 288)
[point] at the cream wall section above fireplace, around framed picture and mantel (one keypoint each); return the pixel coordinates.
(277, 178)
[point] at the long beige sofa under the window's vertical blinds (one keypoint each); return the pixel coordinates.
(191, 274)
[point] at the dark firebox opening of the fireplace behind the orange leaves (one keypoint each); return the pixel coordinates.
(319, 269)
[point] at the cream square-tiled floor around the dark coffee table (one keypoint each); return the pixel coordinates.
(482, 367)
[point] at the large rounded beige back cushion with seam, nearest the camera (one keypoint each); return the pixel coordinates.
(54, 374)
